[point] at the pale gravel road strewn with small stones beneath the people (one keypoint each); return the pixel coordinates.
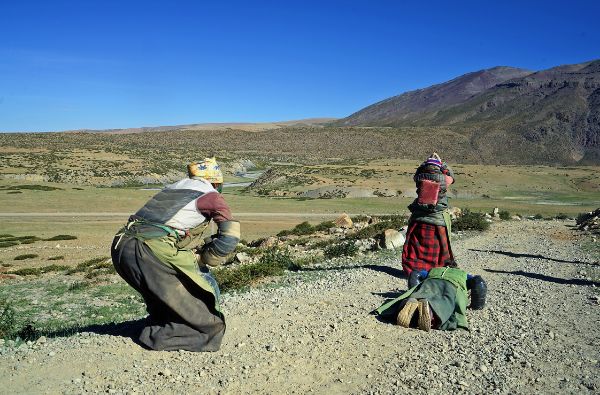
(313, 333)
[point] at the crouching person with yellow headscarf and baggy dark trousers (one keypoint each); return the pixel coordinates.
(153, 253)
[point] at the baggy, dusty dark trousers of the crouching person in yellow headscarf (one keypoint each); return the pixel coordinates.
(181, 316)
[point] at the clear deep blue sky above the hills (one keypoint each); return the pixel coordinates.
(117, 64)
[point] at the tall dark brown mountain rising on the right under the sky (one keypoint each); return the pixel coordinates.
(549, 116)
